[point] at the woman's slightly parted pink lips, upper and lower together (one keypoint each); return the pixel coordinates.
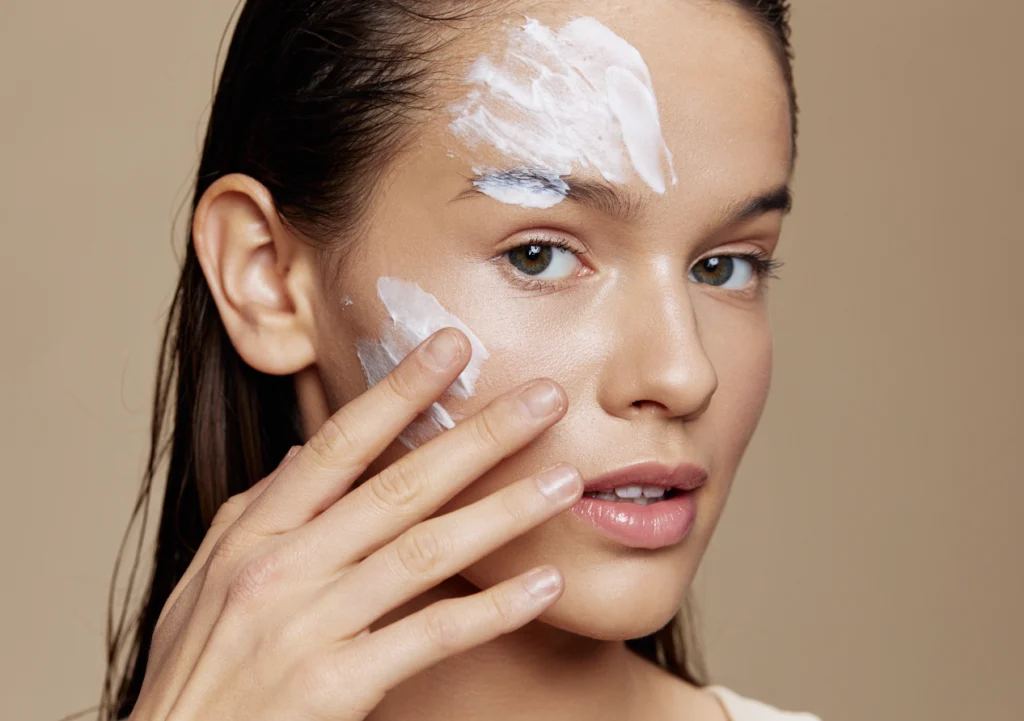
(662, 524)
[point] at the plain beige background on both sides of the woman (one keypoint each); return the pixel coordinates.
(868, 567)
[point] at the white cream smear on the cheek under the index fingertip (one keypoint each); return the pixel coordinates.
(415, 316)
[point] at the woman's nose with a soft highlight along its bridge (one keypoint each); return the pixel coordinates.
(657, 364)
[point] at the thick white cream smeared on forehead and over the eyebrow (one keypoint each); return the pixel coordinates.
(577, 99)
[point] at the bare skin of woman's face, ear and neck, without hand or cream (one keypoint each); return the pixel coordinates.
(655, 365)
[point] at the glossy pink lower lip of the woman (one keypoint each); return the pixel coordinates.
(655, 526)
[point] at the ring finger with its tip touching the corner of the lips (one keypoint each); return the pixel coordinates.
(442, 547)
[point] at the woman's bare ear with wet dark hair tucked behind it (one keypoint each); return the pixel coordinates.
(260, 273)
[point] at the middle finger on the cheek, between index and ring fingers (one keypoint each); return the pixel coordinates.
(419, 484)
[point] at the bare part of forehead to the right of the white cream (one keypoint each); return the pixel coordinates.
(723, 100)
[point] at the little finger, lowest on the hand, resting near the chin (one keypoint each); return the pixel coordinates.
(388, 657)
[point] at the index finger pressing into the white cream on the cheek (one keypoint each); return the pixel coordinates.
(358, 434)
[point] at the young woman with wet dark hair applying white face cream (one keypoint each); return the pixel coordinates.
(470, 342)
